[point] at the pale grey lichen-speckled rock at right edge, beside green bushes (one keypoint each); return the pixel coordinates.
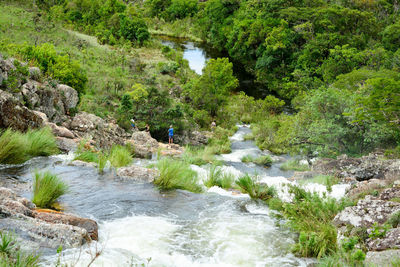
(367, 212)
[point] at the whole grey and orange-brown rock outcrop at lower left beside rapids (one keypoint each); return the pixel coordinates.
(46, 230)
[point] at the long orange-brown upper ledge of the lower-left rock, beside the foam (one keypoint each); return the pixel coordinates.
(69, 219)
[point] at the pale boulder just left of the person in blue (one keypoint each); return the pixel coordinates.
(143, 143)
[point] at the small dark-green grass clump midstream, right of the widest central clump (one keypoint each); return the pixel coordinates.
(255, 190)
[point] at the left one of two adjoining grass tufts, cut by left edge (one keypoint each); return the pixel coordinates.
(12, 148)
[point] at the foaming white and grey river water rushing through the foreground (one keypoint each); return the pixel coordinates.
(141, 226)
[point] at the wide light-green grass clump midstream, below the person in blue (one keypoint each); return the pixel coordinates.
(175, 174)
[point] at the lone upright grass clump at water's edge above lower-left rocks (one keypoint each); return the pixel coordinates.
(47, 188)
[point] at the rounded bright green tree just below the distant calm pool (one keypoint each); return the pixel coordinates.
(212, 88)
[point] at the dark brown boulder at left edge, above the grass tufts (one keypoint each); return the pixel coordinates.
(13, 114)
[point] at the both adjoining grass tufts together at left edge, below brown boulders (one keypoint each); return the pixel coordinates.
(17, 147)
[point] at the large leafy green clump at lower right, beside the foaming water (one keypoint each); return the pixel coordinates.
(311, 216)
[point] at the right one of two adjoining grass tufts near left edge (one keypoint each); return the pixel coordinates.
(41, 142)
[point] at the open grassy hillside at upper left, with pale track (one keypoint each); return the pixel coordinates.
(107, 67)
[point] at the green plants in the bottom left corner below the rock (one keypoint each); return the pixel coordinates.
(11, 254)
